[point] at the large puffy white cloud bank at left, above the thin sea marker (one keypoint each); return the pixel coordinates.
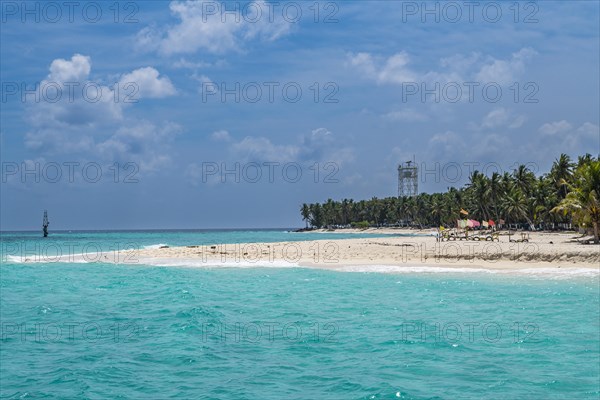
(91, 118)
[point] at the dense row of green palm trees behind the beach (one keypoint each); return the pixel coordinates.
(569, 193)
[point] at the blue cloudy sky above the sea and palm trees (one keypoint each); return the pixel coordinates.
(171, 102)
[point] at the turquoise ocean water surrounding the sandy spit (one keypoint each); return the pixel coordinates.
(95, 330)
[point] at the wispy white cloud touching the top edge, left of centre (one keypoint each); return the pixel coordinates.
(206, 26)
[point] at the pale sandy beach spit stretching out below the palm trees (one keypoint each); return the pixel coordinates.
(544, 252)
